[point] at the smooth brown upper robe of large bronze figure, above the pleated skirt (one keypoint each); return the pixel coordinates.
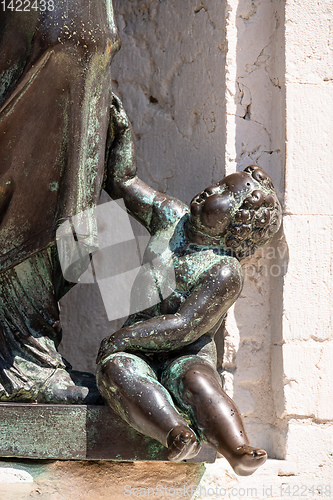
(55, 90)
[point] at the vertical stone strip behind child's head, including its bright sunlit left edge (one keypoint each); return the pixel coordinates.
(255, 134)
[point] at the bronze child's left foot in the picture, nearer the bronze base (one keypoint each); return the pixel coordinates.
(182, 443)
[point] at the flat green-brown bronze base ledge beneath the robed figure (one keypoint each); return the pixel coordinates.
(76, 432)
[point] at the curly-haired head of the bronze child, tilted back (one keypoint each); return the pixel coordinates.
(241, 212)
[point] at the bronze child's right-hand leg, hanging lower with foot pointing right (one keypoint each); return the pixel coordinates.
(196, 387)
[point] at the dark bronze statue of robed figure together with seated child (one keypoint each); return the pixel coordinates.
(58, 117)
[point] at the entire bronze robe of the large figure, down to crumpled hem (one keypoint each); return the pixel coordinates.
(55, 95)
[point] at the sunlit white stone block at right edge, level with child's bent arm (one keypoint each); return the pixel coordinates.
(308, 283)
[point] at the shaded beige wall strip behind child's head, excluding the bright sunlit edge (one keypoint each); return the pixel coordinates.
(260, 139)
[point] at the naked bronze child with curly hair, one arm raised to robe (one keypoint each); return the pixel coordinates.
(158, 372)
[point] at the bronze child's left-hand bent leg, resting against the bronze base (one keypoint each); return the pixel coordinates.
(131, 389)
